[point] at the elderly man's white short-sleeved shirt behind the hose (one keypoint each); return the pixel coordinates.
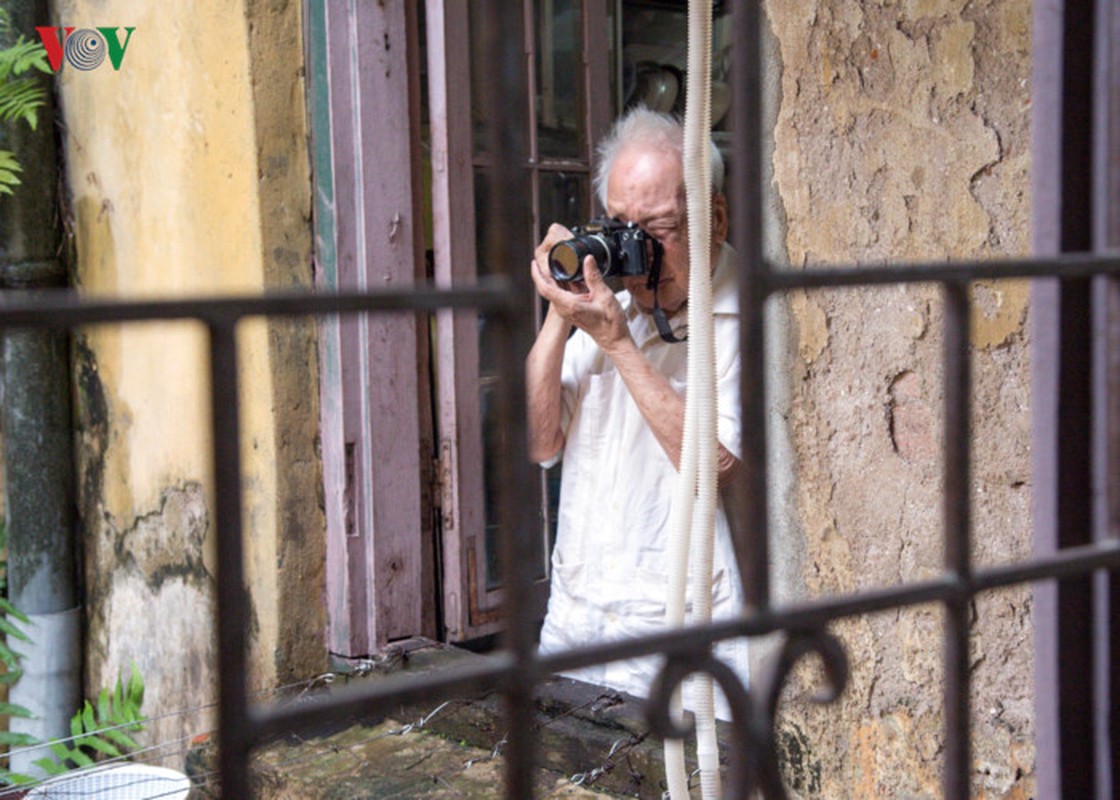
(611, 564)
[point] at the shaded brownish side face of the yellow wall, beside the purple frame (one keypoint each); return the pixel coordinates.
(285, 181)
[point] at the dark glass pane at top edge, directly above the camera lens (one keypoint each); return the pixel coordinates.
(561, 104)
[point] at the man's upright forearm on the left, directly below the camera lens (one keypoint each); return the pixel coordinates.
(543, 389)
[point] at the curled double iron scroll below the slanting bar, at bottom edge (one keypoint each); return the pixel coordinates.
(753, 761)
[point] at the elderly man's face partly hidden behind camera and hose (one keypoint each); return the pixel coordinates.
(647, 187)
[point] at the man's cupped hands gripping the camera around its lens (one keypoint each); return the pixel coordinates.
(590, 305)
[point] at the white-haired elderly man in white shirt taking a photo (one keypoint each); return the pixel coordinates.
(609, 401)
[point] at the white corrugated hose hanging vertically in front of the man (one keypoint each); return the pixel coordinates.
(693, 523)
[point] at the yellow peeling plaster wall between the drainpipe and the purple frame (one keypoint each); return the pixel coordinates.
(189, 175)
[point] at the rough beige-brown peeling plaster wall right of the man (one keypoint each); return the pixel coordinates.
(903, 136)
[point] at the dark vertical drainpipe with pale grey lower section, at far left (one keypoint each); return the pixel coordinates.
(36, 426)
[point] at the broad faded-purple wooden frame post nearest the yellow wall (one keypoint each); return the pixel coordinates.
(376, 426)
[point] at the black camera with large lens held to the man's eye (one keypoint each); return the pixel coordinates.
(620, 249)
